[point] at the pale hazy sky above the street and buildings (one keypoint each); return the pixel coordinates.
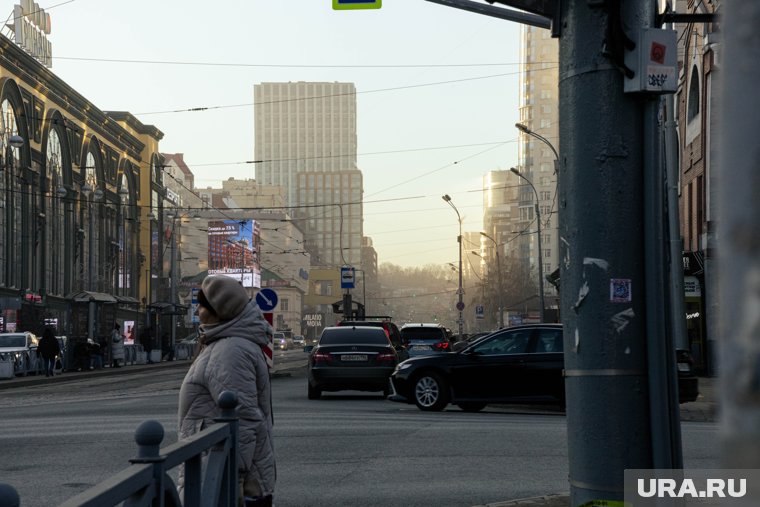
(437, 94)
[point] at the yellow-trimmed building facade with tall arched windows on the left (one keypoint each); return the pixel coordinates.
(76, 190)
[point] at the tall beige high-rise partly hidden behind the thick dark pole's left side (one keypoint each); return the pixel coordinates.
(539, 112)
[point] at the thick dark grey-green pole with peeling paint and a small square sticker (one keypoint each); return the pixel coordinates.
(601, 244)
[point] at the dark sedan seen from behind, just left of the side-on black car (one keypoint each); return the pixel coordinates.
(358, 358)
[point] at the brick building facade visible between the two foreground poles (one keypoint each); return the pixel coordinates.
(699, 51)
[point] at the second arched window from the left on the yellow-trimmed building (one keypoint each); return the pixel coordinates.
(55, 217)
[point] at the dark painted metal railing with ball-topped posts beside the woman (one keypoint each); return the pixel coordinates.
(209, 458)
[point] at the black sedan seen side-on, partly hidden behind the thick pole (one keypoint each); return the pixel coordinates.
(521, 363)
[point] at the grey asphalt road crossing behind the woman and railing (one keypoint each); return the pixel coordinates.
(346, 449)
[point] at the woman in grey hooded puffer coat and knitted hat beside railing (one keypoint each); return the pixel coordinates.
(230, 358)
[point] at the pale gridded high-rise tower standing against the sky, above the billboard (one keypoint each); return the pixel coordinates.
(305, 142)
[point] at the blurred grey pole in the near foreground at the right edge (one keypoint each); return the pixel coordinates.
(739, 223)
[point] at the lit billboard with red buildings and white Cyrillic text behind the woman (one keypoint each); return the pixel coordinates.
(233, 250)
